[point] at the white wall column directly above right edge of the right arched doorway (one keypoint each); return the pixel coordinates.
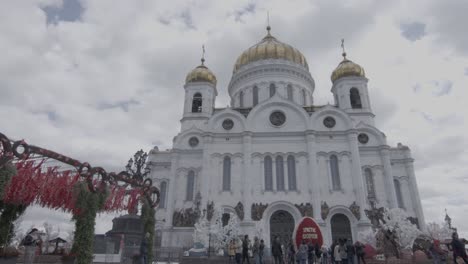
(357, 174)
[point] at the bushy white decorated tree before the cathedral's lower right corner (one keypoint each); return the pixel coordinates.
(396, 220)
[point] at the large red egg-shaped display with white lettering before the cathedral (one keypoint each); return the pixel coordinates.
(308, 231)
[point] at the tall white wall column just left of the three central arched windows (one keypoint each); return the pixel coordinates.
(247, 188)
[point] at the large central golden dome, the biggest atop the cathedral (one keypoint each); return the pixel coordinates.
(270, 48)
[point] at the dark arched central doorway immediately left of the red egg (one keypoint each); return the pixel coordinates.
(281, 225)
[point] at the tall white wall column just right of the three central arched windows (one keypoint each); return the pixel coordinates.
(313, 182)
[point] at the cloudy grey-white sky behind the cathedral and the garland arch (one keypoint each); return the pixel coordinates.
(99, 79)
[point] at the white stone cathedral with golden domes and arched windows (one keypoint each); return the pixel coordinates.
(273, 156)
